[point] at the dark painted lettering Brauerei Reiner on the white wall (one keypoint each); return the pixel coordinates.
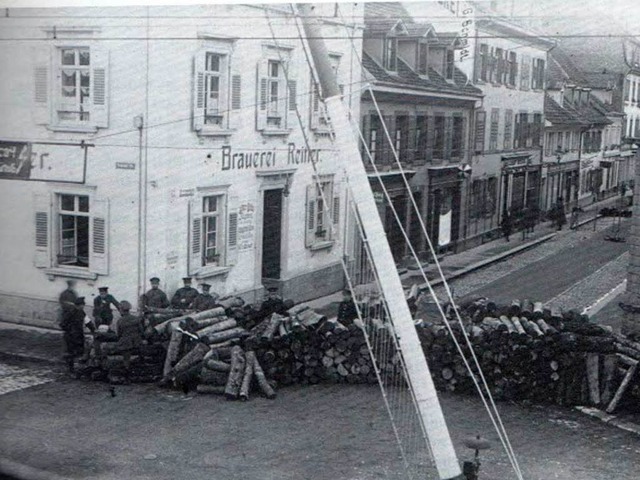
(239, 159)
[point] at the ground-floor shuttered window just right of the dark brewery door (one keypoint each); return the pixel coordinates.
(323, 213)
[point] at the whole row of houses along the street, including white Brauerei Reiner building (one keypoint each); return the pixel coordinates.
(191, 141)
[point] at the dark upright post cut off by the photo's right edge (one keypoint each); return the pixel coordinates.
(631, 303)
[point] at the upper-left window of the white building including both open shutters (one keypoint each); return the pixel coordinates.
(74, 96)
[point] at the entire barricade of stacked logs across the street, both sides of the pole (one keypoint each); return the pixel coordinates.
(526, 352)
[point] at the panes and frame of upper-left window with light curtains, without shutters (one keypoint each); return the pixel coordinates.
(75, 85)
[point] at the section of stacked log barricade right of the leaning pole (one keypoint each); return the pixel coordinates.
(528, 352)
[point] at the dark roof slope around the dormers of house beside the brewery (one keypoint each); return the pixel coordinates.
(407, 78)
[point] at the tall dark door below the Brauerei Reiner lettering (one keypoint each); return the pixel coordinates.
(272, 233)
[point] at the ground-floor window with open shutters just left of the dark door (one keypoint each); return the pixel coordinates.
(212, 235)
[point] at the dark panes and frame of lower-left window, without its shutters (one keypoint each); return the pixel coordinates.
(73, 221)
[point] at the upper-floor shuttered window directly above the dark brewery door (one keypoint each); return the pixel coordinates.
(276, 94)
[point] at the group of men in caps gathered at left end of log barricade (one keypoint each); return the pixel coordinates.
(129, 328)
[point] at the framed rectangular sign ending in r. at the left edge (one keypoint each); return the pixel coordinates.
(42, 161)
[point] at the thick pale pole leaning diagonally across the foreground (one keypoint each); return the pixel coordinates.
(419, 375)
